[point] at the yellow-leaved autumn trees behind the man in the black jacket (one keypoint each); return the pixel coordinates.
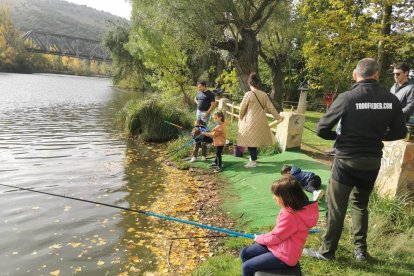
(339, 33)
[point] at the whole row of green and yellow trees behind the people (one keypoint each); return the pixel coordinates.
(171, 44)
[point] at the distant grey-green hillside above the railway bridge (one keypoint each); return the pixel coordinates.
(60, 17)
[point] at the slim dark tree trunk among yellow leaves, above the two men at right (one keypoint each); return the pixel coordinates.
(383, 55)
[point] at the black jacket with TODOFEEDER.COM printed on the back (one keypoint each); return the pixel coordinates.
(369, 115)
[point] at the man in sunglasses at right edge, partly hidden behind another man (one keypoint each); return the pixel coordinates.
(403, 89)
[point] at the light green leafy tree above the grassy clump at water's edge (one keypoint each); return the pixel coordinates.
(162, 52)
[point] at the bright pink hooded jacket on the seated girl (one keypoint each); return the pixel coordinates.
(286, 240)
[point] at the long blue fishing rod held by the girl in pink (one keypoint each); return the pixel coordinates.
(213, 228)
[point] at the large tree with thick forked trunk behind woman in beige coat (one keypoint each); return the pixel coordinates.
(227, 25)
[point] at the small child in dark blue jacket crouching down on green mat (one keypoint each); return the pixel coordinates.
(309, 180)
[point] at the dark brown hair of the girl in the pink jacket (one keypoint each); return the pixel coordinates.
(290, 192)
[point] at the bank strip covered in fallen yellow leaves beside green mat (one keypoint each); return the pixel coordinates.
(189, 195)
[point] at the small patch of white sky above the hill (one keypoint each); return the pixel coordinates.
(117, 7)
